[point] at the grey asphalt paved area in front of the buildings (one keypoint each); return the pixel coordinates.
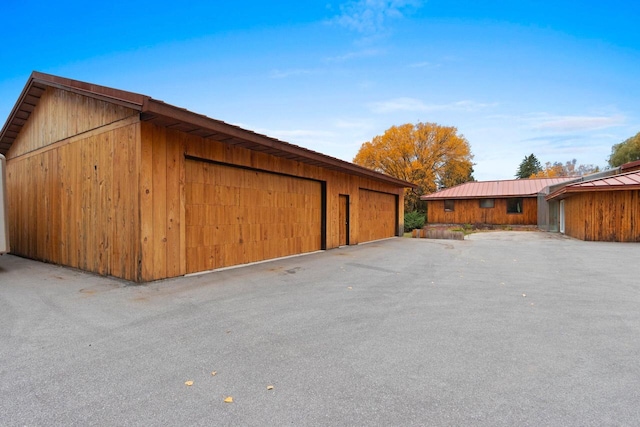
(501, 329)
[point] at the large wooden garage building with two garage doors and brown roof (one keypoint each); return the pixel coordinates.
(121, 184)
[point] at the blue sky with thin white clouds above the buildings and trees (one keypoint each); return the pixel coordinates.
(560, 79)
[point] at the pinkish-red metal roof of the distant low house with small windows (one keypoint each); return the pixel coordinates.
(497, 189)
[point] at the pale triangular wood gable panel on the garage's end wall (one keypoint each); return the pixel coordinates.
(61, 114)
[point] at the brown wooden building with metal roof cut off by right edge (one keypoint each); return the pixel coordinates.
(605, 209)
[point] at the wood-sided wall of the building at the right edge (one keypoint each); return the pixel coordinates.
(611, 216)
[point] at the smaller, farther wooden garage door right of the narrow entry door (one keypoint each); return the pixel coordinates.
(377, 214)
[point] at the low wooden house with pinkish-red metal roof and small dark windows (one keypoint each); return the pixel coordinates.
(507, 202)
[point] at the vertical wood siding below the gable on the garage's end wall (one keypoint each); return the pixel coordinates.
(76, 203)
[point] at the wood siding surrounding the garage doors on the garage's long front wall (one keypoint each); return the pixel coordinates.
(155, 227)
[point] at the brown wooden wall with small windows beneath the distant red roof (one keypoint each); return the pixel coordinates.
(468, 211)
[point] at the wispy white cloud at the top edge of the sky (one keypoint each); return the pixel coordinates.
(370, 16)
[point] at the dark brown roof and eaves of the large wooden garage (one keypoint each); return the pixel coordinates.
(172, 117)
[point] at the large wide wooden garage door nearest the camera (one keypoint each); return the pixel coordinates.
(236, 216)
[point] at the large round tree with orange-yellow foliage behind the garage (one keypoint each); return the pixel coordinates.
(427, 154)
